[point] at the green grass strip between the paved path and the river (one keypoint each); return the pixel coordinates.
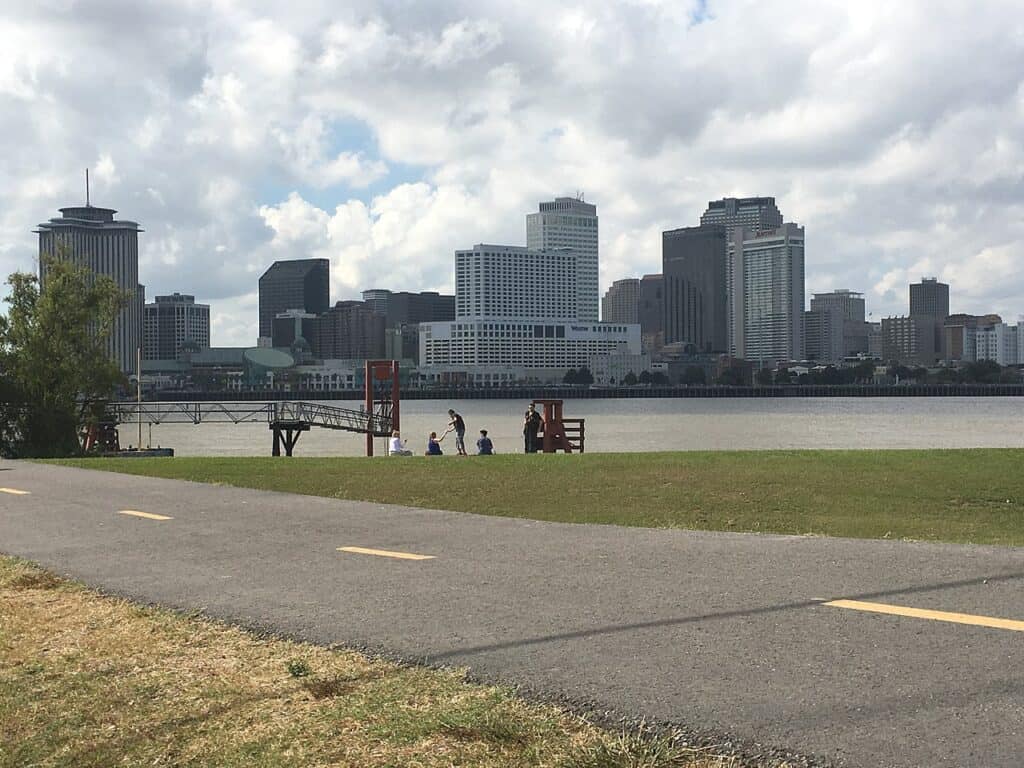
(974, 496)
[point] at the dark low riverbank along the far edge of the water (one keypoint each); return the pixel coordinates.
(596, 393)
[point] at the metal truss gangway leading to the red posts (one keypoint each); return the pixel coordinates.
(287, 419)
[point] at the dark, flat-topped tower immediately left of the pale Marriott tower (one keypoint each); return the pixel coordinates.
(694, 266)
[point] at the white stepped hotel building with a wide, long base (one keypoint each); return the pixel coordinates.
(518, 319)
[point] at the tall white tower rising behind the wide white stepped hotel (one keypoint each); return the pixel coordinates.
(571, 224)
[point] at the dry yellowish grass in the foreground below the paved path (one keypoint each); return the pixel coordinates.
(89, 681)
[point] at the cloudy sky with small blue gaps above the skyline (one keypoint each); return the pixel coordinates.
(385, 136)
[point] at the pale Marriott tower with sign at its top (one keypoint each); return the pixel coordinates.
(769, 295)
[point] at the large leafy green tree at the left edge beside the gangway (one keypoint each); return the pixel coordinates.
(54, 355)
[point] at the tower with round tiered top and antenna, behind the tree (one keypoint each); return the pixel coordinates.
(92, 237)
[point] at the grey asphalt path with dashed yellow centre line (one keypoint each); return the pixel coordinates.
(721, 633)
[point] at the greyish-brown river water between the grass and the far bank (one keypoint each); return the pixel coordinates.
(670, 424)
